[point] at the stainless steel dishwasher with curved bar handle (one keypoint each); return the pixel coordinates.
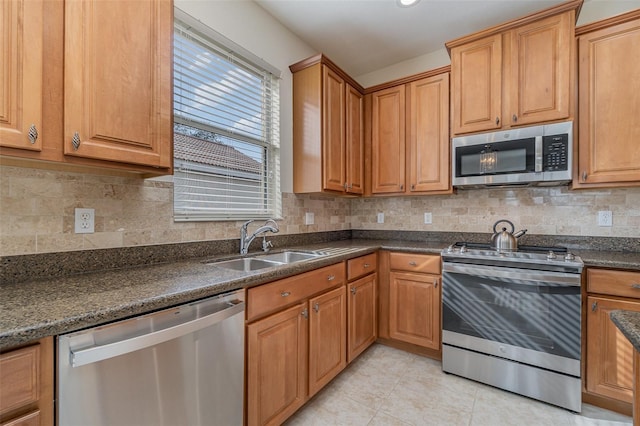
(180, 366)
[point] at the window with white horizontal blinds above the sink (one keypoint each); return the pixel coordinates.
(226, 128)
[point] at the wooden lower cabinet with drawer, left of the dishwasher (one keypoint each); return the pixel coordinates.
(26, 385)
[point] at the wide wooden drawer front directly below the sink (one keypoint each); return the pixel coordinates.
(271, 297)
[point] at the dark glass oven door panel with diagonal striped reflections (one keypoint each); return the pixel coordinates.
(537, 316)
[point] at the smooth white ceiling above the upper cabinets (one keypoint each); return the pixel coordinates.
(363, 36)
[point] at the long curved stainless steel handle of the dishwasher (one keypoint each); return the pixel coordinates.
(99, 353)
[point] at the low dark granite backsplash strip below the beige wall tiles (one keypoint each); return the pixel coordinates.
(20, 268)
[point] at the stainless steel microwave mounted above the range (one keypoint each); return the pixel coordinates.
(535, 155)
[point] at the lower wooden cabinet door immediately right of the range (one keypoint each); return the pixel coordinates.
(609, 353)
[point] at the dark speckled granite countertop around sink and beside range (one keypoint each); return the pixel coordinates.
(38, 308)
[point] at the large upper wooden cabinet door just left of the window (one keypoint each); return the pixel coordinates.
(117, 81)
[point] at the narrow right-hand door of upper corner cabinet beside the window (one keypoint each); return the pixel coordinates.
(354, 115)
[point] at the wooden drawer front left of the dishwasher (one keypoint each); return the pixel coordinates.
(19, 378)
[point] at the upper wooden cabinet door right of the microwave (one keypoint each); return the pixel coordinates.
(609, 85)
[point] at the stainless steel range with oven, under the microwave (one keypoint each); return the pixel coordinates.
(512, 319)
